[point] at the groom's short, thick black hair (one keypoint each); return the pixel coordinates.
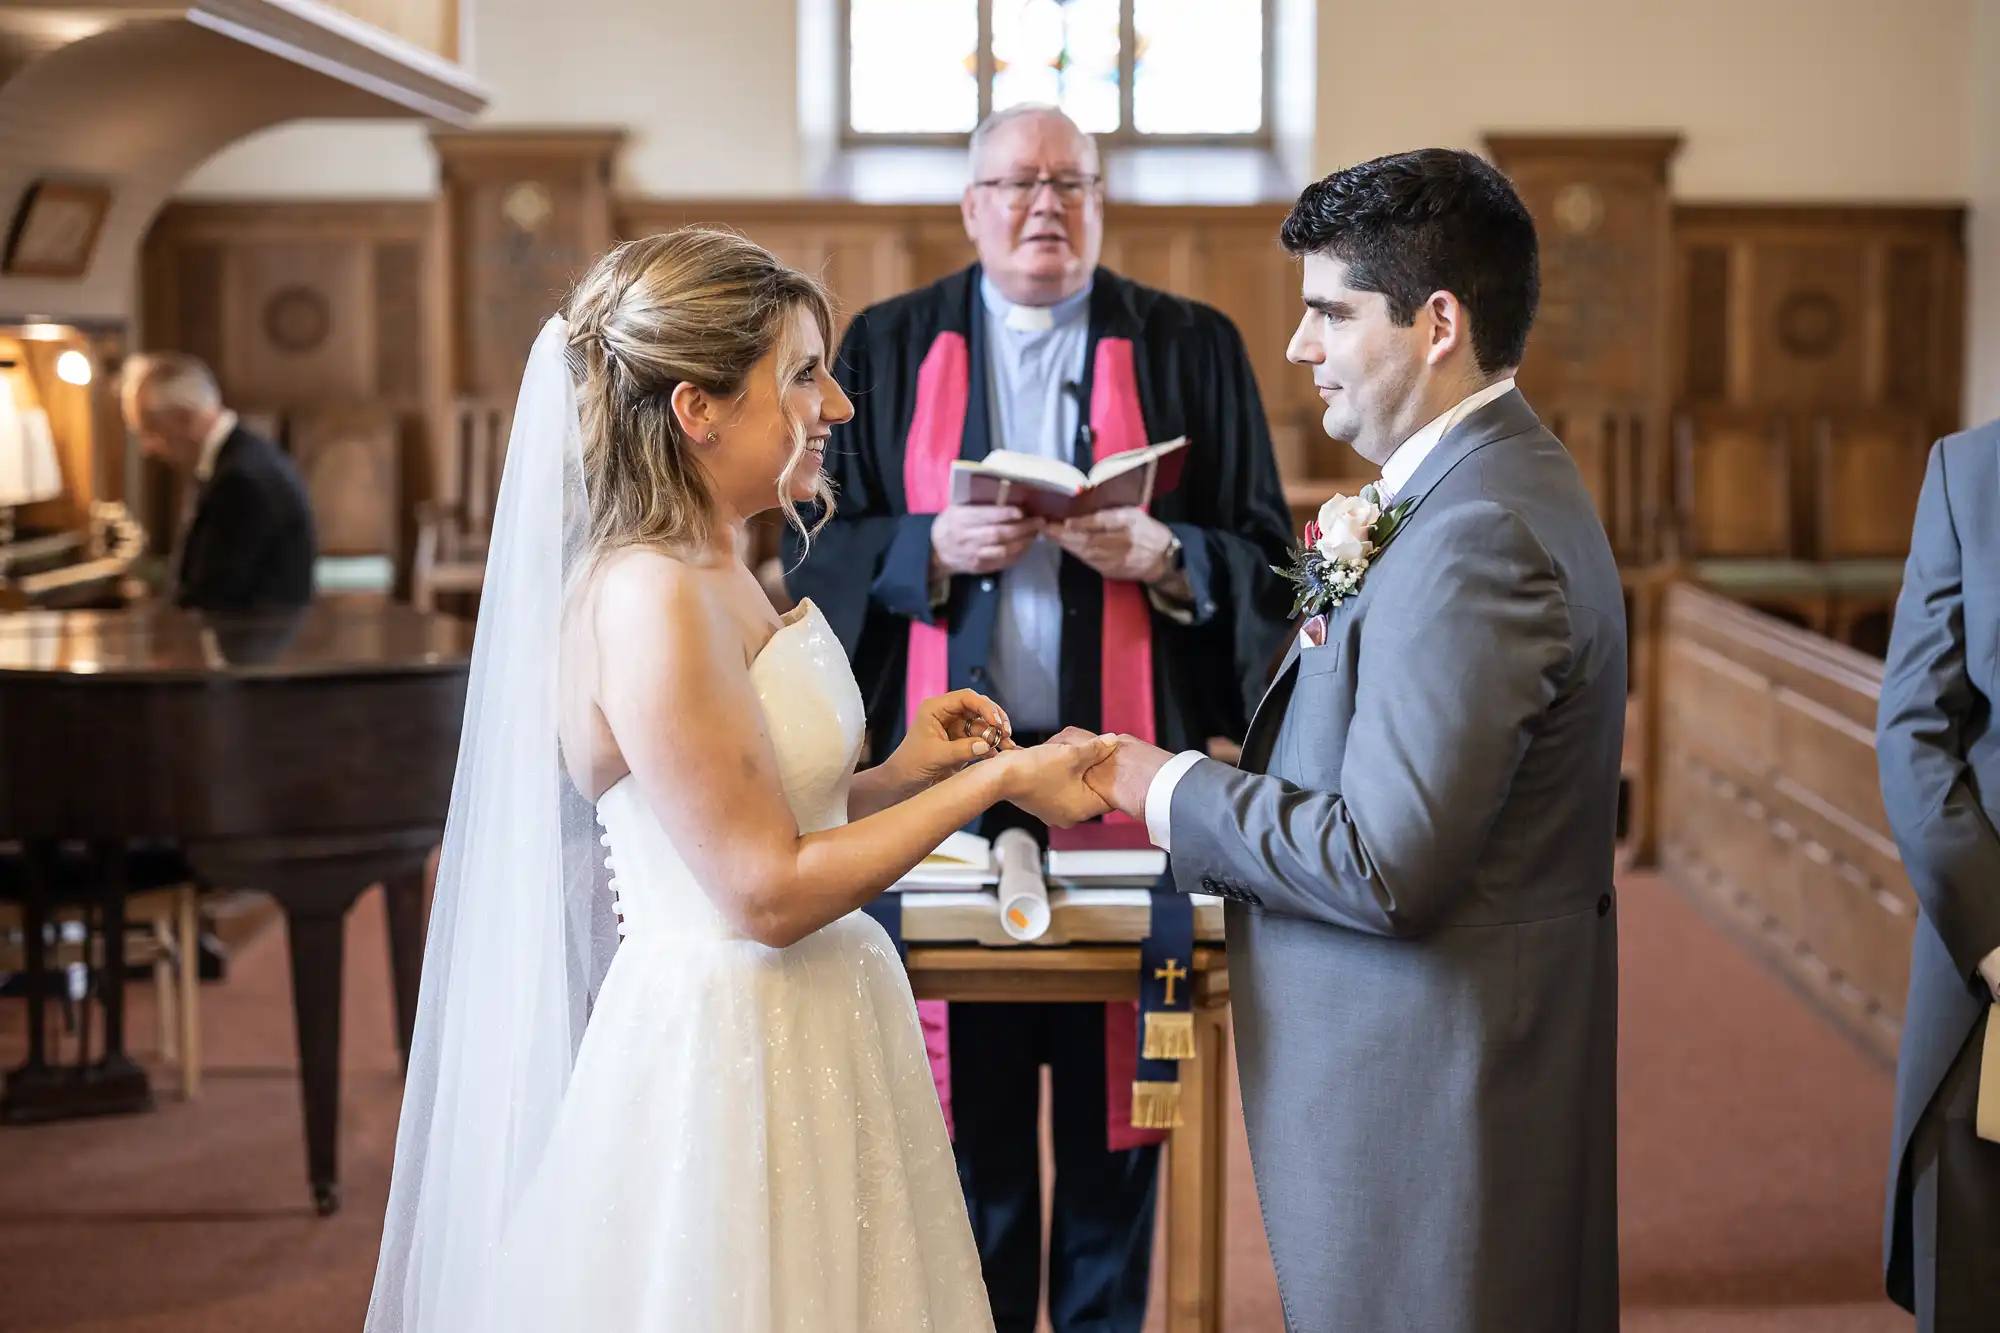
(1431, 221)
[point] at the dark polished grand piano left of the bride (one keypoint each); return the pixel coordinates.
(307, 756)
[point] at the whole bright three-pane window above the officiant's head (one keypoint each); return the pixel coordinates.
(1129, 71)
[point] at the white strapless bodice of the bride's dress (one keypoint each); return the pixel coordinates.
(813, 712)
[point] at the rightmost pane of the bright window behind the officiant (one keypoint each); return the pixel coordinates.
(1199, 67)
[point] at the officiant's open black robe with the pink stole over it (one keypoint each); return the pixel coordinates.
(1157, 367)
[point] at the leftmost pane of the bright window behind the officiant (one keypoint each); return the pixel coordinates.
(913, 67)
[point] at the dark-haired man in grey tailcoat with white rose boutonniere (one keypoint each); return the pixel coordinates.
(1417, 848)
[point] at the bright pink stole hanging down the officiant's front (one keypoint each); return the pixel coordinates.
(937, 433)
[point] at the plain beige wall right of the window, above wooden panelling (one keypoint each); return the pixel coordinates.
(1777, 99)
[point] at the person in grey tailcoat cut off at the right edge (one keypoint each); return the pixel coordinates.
(1941, 786)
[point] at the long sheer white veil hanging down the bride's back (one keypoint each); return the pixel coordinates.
(521, 926)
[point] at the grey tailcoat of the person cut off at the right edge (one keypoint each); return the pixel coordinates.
(1941, 784)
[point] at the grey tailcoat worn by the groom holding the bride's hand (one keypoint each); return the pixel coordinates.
(1423, 948)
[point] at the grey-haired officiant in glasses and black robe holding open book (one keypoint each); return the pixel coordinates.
(1149, 619)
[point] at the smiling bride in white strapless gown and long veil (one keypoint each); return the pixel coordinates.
(745, 1136)
